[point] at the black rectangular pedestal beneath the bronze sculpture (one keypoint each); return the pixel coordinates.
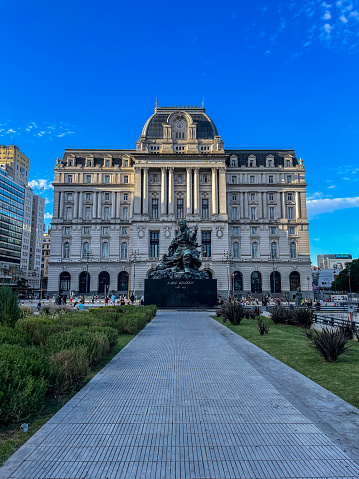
(176, 293)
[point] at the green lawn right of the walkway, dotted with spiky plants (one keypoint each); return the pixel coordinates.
(289, 345)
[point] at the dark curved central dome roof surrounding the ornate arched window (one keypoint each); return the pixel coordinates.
(206, 129)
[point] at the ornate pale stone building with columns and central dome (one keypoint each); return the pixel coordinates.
(116, 211)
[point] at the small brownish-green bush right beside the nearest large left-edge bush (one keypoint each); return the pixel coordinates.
(69, 368)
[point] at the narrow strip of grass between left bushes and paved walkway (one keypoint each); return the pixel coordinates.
(11, 438)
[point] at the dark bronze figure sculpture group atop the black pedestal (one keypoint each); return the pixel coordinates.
(182, 260)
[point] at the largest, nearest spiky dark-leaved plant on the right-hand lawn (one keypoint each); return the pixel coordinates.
(329, 343)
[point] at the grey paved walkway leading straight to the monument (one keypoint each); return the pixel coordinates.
(189, 399)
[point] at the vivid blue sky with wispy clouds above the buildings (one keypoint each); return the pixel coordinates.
(273, 74)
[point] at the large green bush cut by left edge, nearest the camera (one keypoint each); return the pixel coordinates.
(24, 376)
